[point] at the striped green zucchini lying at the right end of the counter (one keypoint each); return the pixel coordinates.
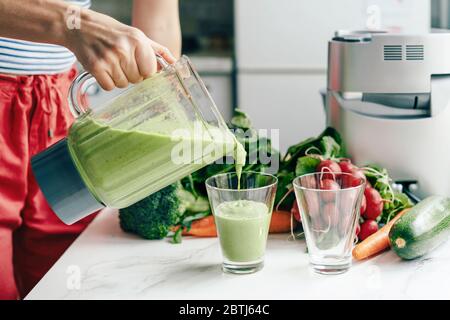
(422, 229)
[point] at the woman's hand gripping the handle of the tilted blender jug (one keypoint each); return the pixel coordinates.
(114, 53)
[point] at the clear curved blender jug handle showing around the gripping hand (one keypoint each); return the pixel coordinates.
(79, 87)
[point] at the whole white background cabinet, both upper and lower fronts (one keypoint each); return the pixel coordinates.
(281, 54)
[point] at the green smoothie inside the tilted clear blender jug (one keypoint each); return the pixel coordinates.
(134, 163)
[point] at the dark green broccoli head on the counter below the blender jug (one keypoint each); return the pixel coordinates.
(152, 217)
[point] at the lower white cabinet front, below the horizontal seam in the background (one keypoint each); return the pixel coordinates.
(288, 102)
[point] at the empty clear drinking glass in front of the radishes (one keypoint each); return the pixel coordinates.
(329, 206)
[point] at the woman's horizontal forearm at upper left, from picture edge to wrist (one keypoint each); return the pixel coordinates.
(34, 20)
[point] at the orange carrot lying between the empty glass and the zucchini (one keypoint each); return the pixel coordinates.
(376, 242)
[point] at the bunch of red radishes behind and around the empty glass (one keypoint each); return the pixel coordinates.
(371, 204)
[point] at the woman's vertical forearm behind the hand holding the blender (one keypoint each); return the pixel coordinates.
(159, 20)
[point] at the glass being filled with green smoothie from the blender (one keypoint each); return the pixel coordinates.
(242, 208)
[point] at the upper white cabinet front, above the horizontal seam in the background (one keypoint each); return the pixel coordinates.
(293, 34)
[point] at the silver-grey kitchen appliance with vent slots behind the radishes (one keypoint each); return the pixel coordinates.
(388, 95)
